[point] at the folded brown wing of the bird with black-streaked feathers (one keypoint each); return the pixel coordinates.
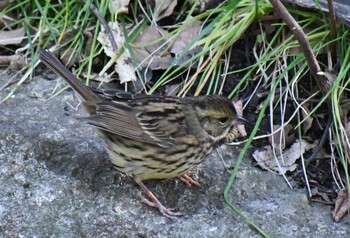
(150, 119)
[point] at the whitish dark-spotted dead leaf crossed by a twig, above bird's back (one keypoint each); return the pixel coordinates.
(123, 65)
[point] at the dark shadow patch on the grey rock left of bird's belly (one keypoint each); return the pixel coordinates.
(90, 165)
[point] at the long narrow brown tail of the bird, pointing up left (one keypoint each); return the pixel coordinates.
(55, 65)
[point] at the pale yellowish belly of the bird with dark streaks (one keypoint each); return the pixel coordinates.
(146, 161)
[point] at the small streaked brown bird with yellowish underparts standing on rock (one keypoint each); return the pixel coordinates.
(153, 137)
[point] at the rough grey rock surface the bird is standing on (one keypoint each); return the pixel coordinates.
(57, 181)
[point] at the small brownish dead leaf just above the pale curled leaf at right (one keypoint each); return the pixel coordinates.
(282, 138)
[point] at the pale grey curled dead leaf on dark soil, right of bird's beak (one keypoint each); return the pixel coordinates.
(266, 159)
